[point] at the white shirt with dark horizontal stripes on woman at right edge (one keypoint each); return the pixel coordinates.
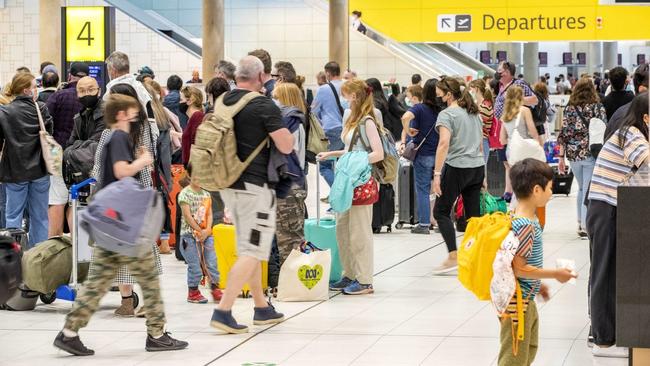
(615, 163)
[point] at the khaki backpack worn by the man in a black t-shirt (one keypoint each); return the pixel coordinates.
(214, 152)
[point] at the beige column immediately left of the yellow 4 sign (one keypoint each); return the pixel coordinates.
(50, 32)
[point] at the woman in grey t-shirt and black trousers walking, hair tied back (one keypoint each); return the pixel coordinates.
(459, 169)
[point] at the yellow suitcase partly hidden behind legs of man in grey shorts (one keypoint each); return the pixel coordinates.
(225, 247)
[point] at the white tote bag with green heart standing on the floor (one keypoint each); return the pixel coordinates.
(305, 274)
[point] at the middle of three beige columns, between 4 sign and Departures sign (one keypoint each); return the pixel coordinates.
(213, 36)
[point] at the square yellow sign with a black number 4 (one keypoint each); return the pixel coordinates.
(84, 39)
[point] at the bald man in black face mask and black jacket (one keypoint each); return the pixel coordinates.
(79, 154)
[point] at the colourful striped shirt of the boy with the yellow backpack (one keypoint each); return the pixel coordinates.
(529, 234)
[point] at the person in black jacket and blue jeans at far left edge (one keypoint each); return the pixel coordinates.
(22, 169)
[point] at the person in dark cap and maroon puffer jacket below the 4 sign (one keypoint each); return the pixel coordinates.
(63, 106)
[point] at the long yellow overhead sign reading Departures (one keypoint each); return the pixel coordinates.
(504, 20)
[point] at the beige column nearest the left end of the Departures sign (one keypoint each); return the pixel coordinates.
(339, 33)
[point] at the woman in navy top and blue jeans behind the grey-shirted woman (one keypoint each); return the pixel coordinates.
(421, 120)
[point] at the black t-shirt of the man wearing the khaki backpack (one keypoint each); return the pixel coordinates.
(252, 125)
